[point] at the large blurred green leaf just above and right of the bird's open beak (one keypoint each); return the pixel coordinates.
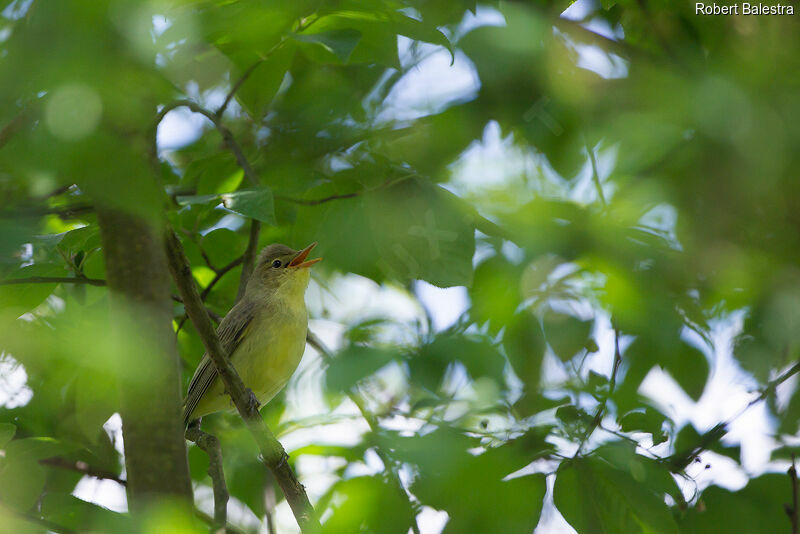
(411, 230)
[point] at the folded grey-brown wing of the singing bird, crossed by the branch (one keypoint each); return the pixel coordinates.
(231, 331)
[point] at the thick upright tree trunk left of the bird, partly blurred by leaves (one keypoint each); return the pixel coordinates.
(138, 278)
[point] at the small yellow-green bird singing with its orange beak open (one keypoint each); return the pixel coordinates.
(264, 334)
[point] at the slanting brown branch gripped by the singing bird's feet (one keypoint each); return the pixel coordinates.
(272, 453)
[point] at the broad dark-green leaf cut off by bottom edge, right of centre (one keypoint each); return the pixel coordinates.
(594, 497)
